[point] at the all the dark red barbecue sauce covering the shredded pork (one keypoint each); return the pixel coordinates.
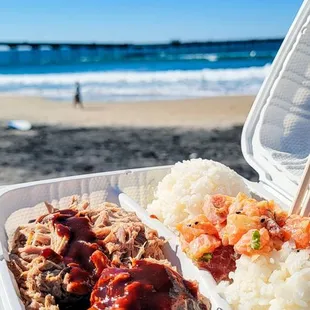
(146, 285)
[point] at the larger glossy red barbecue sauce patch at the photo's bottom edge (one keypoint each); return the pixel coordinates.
(146, 285)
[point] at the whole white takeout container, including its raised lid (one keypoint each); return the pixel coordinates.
(275, 142)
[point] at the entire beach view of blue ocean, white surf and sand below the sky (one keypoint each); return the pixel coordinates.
(145, 105)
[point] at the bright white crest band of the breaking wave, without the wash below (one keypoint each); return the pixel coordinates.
(137, 77)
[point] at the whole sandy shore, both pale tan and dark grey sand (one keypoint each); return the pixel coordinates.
(108, 136)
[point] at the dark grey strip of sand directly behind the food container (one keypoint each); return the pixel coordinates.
(52, 151)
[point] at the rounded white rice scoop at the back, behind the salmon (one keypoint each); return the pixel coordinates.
(181, 194)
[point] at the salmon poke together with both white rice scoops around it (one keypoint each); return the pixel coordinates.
(258, 255)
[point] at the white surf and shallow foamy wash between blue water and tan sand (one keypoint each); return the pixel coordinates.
(123, 85)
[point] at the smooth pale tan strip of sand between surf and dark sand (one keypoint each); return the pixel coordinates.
(220, 112)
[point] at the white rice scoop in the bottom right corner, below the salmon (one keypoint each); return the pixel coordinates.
(277, 282)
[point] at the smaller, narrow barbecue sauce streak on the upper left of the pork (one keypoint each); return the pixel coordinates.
(80, 253)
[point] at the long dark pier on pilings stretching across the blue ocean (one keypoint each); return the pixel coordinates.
(58, 52)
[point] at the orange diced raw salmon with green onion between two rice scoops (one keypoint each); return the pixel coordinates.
(229, 221)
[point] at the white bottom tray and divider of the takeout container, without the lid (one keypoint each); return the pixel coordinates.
(138, 187)
